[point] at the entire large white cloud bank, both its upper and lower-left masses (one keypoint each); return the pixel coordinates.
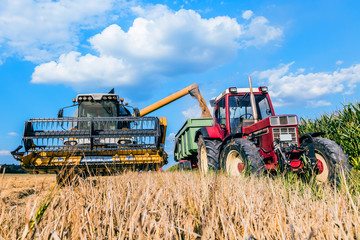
(160, 43)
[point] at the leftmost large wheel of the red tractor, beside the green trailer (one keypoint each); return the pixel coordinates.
(208, 154)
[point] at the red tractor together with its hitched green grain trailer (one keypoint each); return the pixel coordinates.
(246, 136)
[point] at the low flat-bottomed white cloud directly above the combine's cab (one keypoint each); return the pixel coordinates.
(81, 71)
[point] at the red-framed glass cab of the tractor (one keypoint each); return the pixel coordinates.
(233, 109)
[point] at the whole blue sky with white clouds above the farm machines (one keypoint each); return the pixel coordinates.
(307, 52)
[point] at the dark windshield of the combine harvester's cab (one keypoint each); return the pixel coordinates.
(98, 109)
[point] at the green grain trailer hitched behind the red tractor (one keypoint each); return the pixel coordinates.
(185, 145)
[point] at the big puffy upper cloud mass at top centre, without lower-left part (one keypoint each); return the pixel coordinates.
(168, 42)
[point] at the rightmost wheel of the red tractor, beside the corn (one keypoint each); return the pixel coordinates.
(333, 160)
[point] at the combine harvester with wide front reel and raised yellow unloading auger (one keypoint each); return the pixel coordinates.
(102, 137)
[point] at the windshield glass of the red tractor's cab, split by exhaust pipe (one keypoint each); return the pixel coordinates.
(240, 109)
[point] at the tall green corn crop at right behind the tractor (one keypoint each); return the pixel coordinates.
(342, 126)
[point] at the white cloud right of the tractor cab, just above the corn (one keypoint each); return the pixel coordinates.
(288, 88)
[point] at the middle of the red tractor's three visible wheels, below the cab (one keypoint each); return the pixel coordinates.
(241, 156)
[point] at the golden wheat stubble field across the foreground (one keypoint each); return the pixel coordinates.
(177, 205)
